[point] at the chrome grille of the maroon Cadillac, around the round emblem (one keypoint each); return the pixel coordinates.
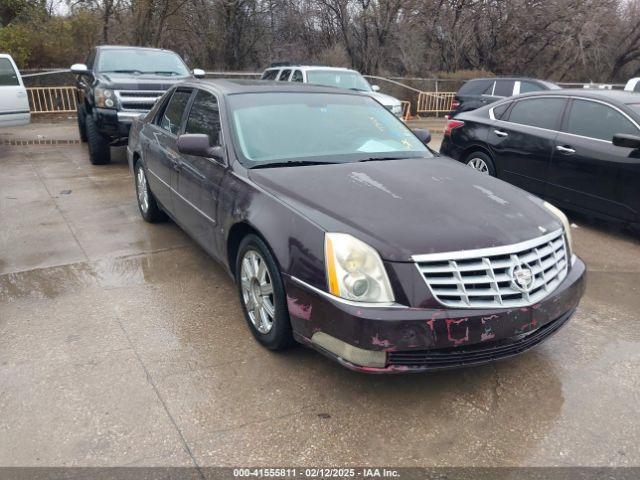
(485, 278)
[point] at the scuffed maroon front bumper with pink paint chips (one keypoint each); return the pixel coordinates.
(419, 339)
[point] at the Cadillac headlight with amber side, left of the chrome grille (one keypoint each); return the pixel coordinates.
(355, 270)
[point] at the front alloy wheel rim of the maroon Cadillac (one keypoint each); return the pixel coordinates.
(257, 291)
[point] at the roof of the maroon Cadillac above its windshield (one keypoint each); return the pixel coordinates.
(234, 86)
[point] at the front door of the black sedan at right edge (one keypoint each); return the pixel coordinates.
(587, 171)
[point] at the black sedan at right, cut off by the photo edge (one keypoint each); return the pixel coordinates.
(580, 149)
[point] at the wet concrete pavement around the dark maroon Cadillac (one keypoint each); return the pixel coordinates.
(122, 343)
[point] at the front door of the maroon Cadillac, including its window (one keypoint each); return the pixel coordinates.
(199, 178)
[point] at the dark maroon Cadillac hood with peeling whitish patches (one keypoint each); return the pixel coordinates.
(412, 206)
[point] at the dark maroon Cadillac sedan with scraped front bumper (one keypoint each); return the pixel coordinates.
(343, 231)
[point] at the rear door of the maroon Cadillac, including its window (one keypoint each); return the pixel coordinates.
(162, 159)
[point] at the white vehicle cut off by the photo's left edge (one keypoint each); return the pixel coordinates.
(14, 104)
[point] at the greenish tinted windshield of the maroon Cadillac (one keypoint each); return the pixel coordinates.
(277, 127)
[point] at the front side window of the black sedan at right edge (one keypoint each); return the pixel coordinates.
(597, 120)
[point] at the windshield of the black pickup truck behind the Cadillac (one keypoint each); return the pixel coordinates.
(138, 61)
